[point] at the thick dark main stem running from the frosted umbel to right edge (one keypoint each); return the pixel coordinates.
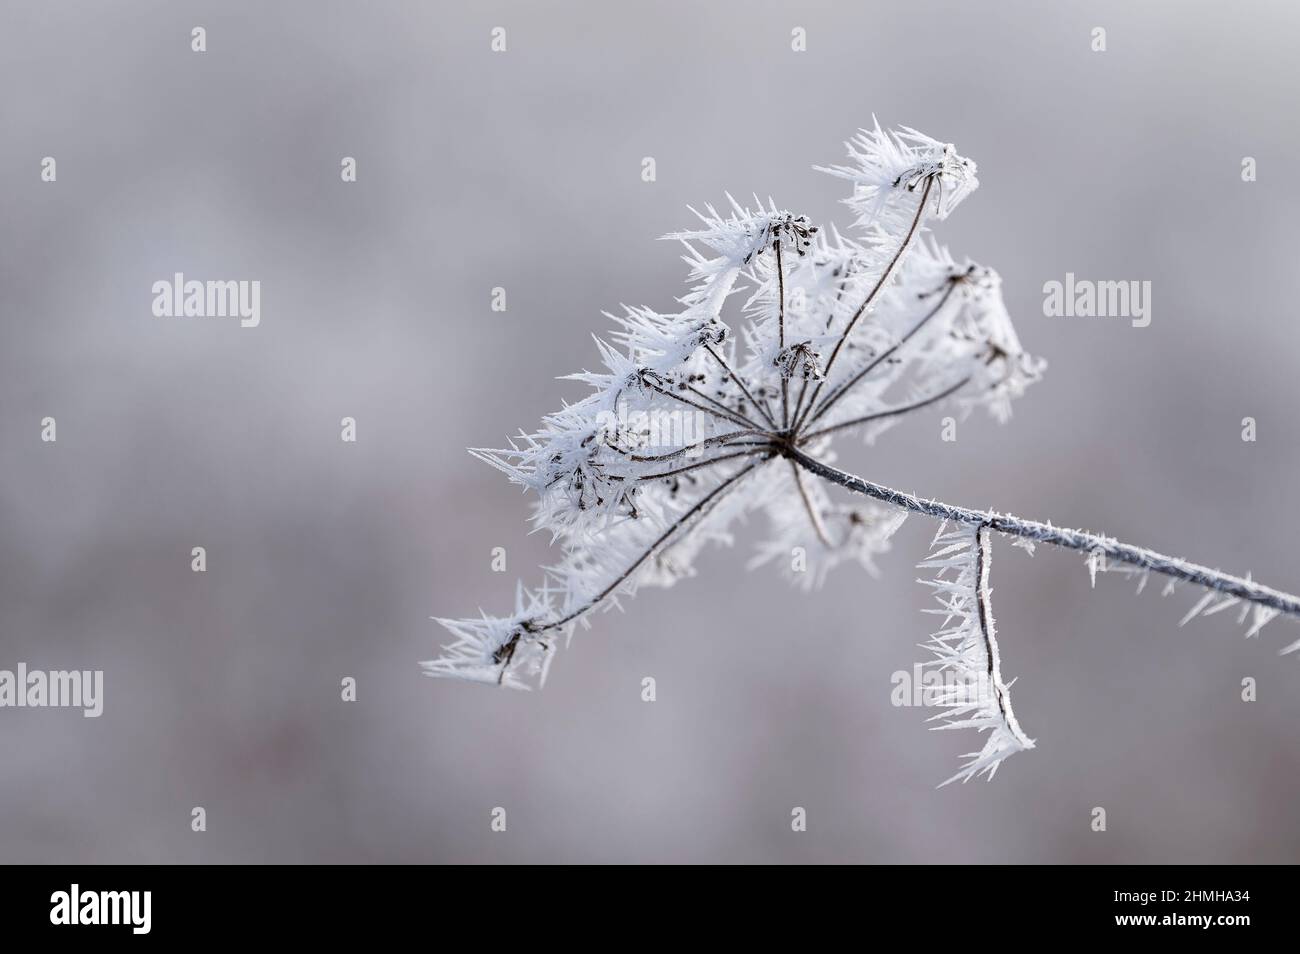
(1060, 536)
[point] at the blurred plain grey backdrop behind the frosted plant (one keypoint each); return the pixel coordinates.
(523, 171)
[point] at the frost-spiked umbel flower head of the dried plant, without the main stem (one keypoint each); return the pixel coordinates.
(876, 336)
